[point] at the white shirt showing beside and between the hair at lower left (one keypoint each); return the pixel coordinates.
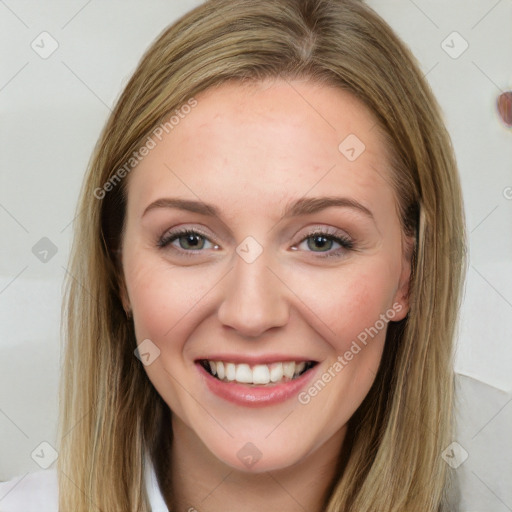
(38, 492)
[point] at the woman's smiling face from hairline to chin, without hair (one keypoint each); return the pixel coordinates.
(288, 280)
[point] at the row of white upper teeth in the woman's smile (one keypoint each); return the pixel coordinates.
(258, 374)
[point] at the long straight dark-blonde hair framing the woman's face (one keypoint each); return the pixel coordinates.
(110, 412)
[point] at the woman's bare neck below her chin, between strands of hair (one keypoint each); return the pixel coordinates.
(201, 482)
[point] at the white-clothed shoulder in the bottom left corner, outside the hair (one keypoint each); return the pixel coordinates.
(31, 492)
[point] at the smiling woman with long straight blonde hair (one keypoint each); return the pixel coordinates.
(215, 359)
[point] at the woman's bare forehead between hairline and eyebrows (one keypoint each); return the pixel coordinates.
(255, 145)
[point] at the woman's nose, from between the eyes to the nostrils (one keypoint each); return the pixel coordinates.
(254, 299)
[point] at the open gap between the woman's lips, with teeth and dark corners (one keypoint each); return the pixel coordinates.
(259, 374)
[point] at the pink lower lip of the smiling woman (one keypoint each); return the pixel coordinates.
(255, 396)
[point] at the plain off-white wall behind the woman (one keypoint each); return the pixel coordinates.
(52, 111)
